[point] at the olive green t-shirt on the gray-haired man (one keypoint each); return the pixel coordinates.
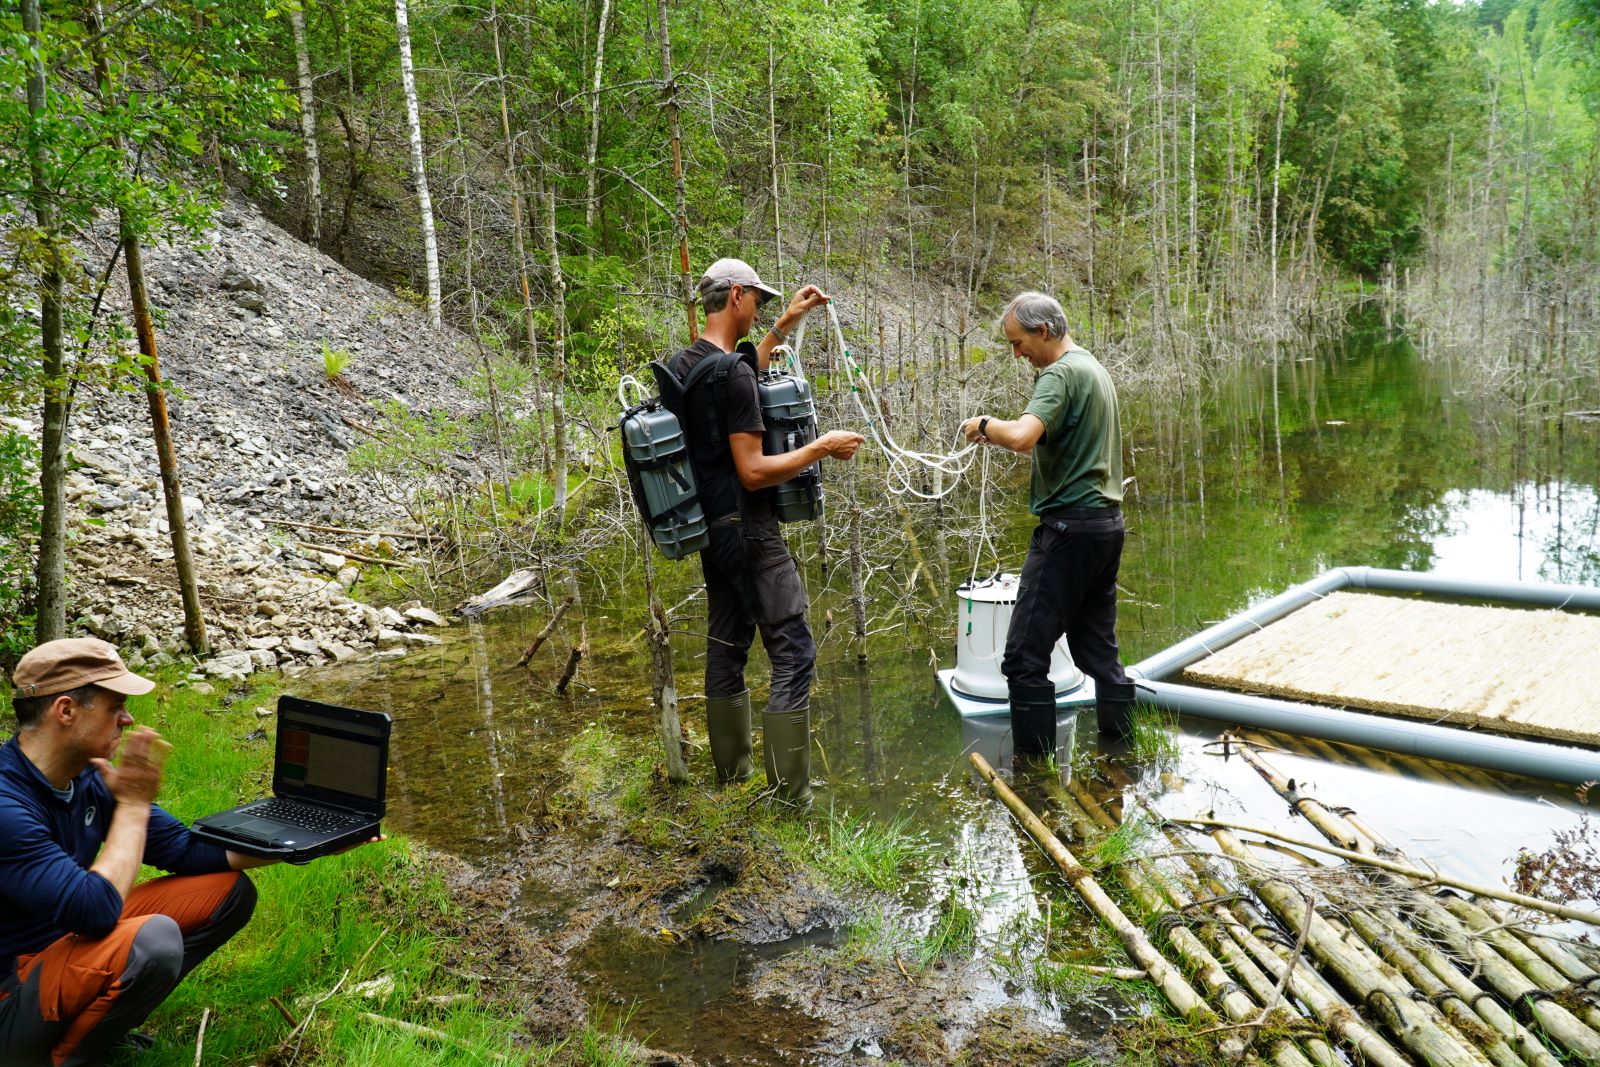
(1078, 463)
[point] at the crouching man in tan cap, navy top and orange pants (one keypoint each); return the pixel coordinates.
(86, 956)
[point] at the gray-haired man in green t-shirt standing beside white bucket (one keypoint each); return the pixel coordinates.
(1070, 580)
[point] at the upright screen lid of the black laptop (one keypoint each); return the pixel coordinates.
(334, 756)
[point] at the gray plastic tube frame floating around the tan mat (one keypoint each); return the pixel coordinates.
(1537, 759)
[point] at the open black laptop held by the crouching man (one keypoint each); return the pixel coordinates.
(327, 786)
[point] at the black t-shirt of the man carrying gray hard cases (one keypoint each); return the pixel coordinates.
(710, 454)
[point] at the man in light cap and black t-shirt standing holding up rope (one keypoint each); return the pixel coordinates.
(751, 580)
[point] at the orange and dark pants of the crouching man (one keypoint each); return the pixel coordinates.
(71, 1002)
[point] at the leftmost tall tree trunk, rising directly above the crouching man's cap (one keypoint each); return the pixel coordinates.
(50, 575)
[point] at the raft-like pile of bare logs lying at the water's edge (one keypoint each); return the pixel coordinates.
(1410, 970)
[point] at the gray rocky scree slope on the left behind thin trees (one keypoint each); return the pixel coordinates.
(263, 439)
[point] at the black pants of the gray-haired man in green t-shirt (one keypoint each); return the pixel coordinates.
(1070, 586)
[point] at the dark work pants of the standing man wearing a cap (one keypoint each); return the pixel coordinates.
(753, 585)
